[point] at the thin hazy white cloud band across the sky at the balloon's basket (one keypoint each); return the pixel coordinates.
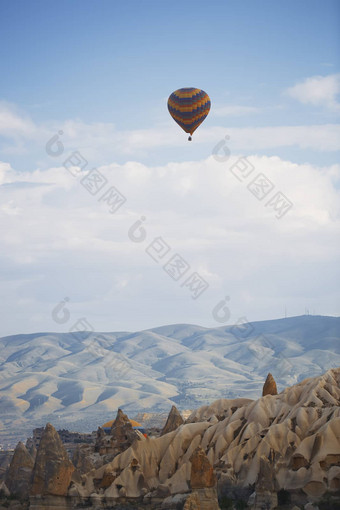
(102, 142)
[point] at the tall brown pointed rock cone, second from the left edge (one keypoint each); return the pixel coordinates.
(52, 470)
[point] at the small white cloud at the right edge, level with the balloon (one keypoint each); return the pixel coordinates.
(318, 90)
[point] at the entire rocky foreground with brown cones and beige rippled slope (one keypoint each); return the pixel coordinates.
(281, 446)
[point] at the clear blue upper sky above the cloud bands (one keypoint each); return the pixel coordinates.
(117, 62)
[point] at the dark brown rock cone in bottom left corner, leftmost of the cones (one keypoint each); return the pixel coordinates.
(18, 476)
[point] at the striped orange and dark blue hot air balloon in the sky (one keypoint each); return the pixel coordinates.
(189, 107)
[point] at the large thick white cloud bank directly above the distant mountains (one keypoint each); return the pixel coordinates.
(59, 240)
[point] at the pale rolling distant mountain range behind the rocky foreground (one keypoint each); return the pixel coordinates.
(79, 380)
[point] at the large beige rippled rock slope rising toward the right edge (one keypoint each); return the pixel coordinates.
(297, 428)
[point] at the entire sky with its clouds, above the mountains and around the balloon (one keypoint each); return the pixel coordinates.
(102, 72)
